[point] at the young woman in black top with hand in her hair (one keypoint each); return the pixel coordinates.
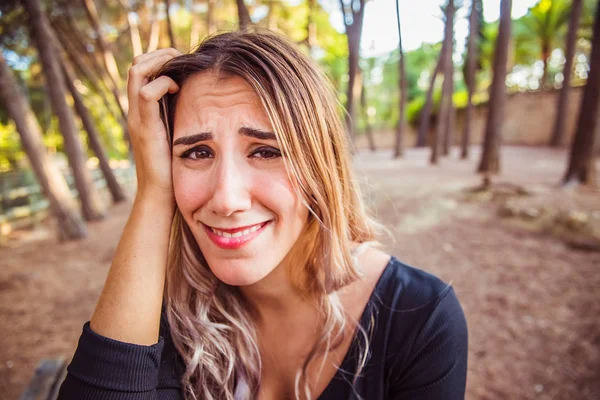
(247, 268)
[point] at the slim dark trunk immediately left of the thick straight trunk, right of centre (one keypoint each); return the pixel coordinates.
(471, 78)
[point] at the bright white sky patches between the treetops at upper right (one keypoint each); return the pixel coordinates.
(421, 22)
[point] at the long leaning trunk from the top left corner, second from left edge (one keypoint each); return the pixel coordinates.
(42, 36)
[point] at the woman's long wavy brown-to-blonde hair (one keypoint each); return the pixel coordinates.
(211, 324)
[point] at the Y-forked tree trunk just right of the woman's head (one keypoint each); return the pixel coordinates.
(353, 12)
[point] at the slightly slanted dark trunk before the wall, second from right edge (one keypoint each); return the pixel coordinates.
(563, 98)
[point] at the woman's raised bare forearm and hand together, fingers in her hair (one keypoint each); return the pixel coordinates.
(129, 307)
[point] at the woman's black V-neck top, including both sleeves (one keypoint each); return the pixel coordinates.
(418, 351)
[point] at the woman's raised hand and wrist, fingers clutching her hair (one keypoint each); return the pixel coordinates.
(149, 139)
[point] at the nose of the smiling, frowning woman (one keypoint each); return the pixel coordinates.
(230, 194)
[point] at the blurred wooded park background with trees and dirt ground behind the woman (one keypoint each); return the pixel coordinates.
(476, 130)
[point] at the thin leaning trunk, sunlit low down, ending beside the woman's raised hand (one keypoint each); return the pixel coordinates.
(107, 55)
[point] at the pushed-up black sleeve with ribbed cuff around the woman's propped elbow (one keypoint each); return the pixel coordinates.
(107, 369)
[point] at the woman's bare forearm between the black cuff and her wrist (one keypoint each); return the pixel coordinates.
(130, 304)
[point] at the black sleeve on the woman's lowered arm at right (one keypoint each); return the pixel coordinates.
(437, 366)
